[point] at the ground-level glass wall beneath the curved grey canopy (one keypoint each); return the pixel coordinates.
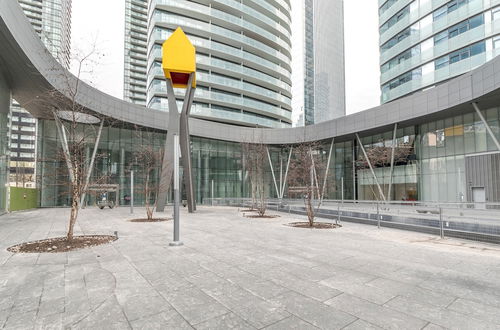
(430, 162)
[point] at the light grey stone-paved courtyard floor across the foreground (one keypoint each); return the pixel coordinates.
(238, 273)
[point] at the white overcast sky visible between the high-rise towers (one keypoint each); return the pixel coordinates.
(105, 28)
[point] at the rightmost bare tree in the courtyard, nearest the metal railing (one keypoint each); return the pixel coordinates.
(306, 168)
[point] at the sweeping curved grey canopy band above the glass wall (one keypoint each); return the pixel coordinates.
(31, 70)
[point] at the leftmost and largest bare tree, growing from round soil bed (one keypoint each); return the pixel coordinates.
(79, 130)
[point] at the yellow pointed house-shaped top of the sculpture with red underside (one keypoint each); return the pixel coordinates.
(179, 59)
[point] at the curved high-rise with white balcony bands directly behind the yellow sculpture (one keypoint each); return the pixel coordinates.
(243, 58)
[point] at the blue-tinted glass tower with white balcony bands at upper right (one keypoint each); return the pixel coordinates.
(426, 42)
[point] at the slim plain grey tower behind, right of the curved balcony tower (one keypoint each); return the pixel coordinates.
(324, 71)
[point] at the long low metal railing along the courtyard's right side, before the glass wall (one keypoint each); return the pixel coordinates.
(473, 221)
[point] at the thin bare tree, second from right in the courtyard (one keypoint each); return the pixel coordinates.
(255, 159)
